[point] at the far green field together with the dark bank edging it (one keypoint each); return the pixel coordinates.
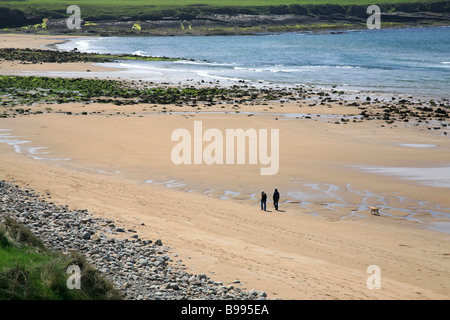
(34, 11)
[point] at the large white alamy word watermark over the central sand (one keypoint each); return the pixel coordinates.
(221, 147)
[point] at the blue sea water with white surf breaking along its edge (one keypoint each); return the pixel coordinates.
(412, 61)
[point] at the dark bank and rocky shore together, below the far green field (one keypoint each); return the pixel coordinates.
(202, 19)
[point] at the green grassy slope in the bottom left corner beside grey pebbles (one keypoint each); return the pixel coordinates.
(30, 271)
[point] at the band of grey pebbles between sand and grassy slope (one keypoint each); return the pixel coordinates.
(142, 269)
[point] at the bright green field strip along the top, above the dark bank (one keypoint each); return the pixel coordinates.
(136, 8)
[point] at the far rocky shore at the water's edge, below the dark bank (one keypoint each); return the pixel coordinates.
(245, 24)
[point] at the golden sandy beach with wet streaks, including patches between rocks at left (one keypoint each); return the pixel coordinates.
(115, 161)
